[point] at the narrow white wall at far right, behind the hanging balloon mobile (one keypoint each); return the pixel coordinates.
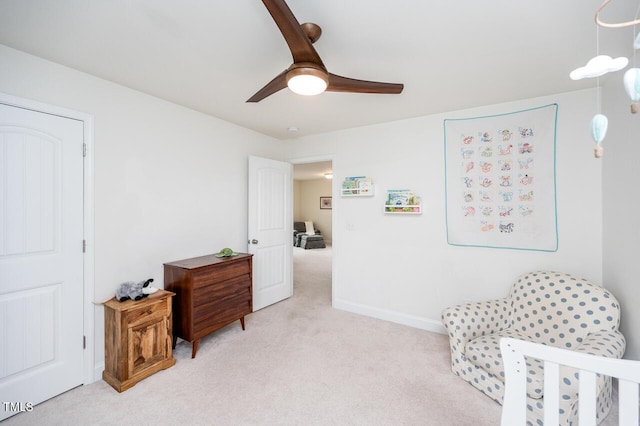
(621, 204)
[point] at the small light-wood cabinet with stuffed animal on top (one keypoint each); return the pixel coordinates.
(137, 339)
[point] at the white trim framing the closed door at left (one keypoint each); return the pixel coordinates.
(89, 373)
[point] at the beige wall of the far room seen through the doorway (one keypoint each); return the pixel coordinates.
(308, 196)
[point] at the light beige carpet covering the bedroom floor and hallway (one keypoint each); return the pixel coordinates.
(299, 362)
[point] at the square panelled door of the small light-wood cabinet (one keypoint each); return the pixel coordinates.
(148, 345)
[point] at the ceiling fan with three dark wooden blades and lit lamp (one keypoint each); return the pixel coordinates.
(308, 75)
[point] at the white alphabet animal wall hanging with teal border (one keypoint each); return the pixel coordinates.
(500, 180)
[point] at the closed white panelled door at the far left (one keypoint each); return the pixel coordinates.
(41, 257)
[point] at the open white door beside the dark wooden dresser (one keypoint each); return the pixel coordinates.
(270, 230)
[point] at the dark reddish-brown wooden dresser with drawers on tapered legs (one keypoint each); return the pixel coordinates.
(211, 292)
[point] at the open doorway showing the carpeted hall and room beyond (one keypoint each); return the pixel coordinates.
(313, 202)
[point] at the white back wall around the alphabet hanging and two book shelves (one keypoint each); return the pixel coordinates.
(400, 268)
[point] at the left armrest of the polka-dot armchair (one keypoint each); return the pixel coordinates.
(470, 320)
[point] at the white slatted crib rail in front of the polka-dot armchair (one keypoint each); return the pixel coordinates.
(514, 411)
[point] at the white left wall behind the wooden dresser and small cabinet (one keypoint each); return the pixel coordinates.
(170, 183)
